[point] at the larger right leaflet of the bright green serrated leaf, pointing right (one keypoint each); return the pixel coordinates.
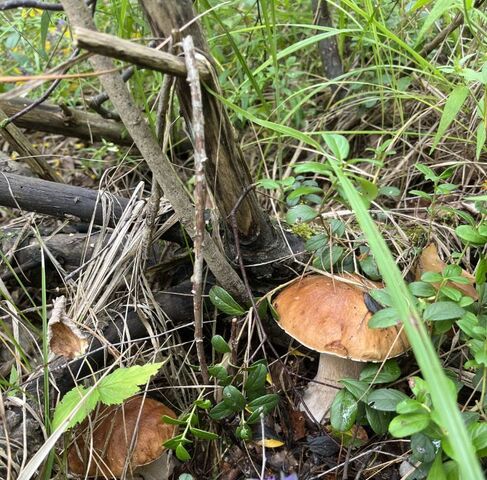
(125, 382)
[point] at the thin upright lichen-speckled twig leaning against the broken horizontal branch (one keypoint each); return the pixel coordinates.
(200, 199)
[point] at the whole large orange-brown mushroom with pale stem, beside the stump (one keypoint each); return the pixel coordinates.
(331, 317)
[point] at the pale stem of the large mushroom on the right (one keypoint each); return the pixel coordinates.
(321, 392)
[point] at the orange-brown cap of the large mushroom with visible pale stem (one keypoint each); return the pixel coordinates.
(330, 316)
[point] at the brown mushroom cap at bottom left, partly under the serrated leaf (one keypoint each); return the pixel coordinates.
(110, 435)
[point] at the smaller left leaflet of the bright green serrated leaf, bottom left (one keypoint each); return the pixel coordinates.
(70, 401)
